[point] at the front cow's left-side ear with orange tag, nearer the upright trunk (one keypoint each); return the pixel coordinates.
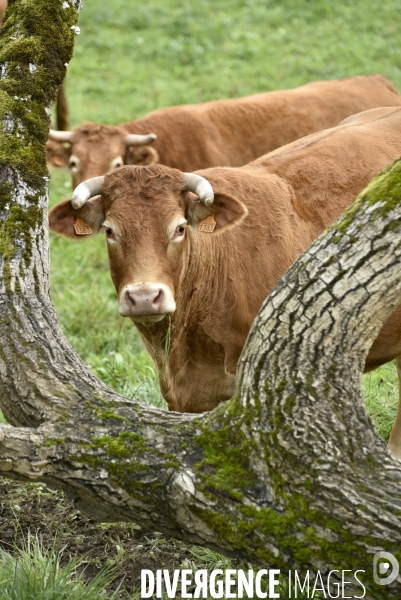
(77, 224)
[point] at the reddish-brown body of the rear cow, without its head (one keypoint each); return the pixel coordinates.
(234, 132)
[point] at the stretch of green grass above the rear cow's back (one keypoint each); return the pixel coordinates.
(134, 57)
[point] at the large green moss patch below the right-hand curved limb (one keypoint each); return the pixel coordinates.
(290, 530)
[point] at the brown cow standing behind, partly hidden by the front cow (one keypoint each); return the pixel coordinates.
(223, 132)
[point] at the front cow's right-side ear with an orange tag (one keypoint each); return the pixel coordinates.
(226, 211)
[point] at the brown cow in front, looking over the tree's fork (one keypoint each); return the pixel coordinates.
(197, 270)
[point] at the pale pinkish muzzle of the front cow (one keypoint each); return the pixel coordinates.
(146, 302)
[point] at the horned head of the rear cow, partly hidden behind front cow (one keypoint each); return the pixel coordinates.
(96, 149)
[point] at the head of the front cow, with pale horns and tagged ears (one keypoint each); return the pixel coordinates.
(149, 216)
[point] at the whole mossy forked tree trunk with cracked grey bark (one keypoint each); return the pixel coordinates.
(289, 473)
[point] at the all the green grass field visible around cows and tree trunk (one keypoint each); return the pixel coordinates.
(134, 57)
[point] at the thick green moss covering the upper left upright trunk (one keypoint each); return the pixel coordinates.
(36, 42)
